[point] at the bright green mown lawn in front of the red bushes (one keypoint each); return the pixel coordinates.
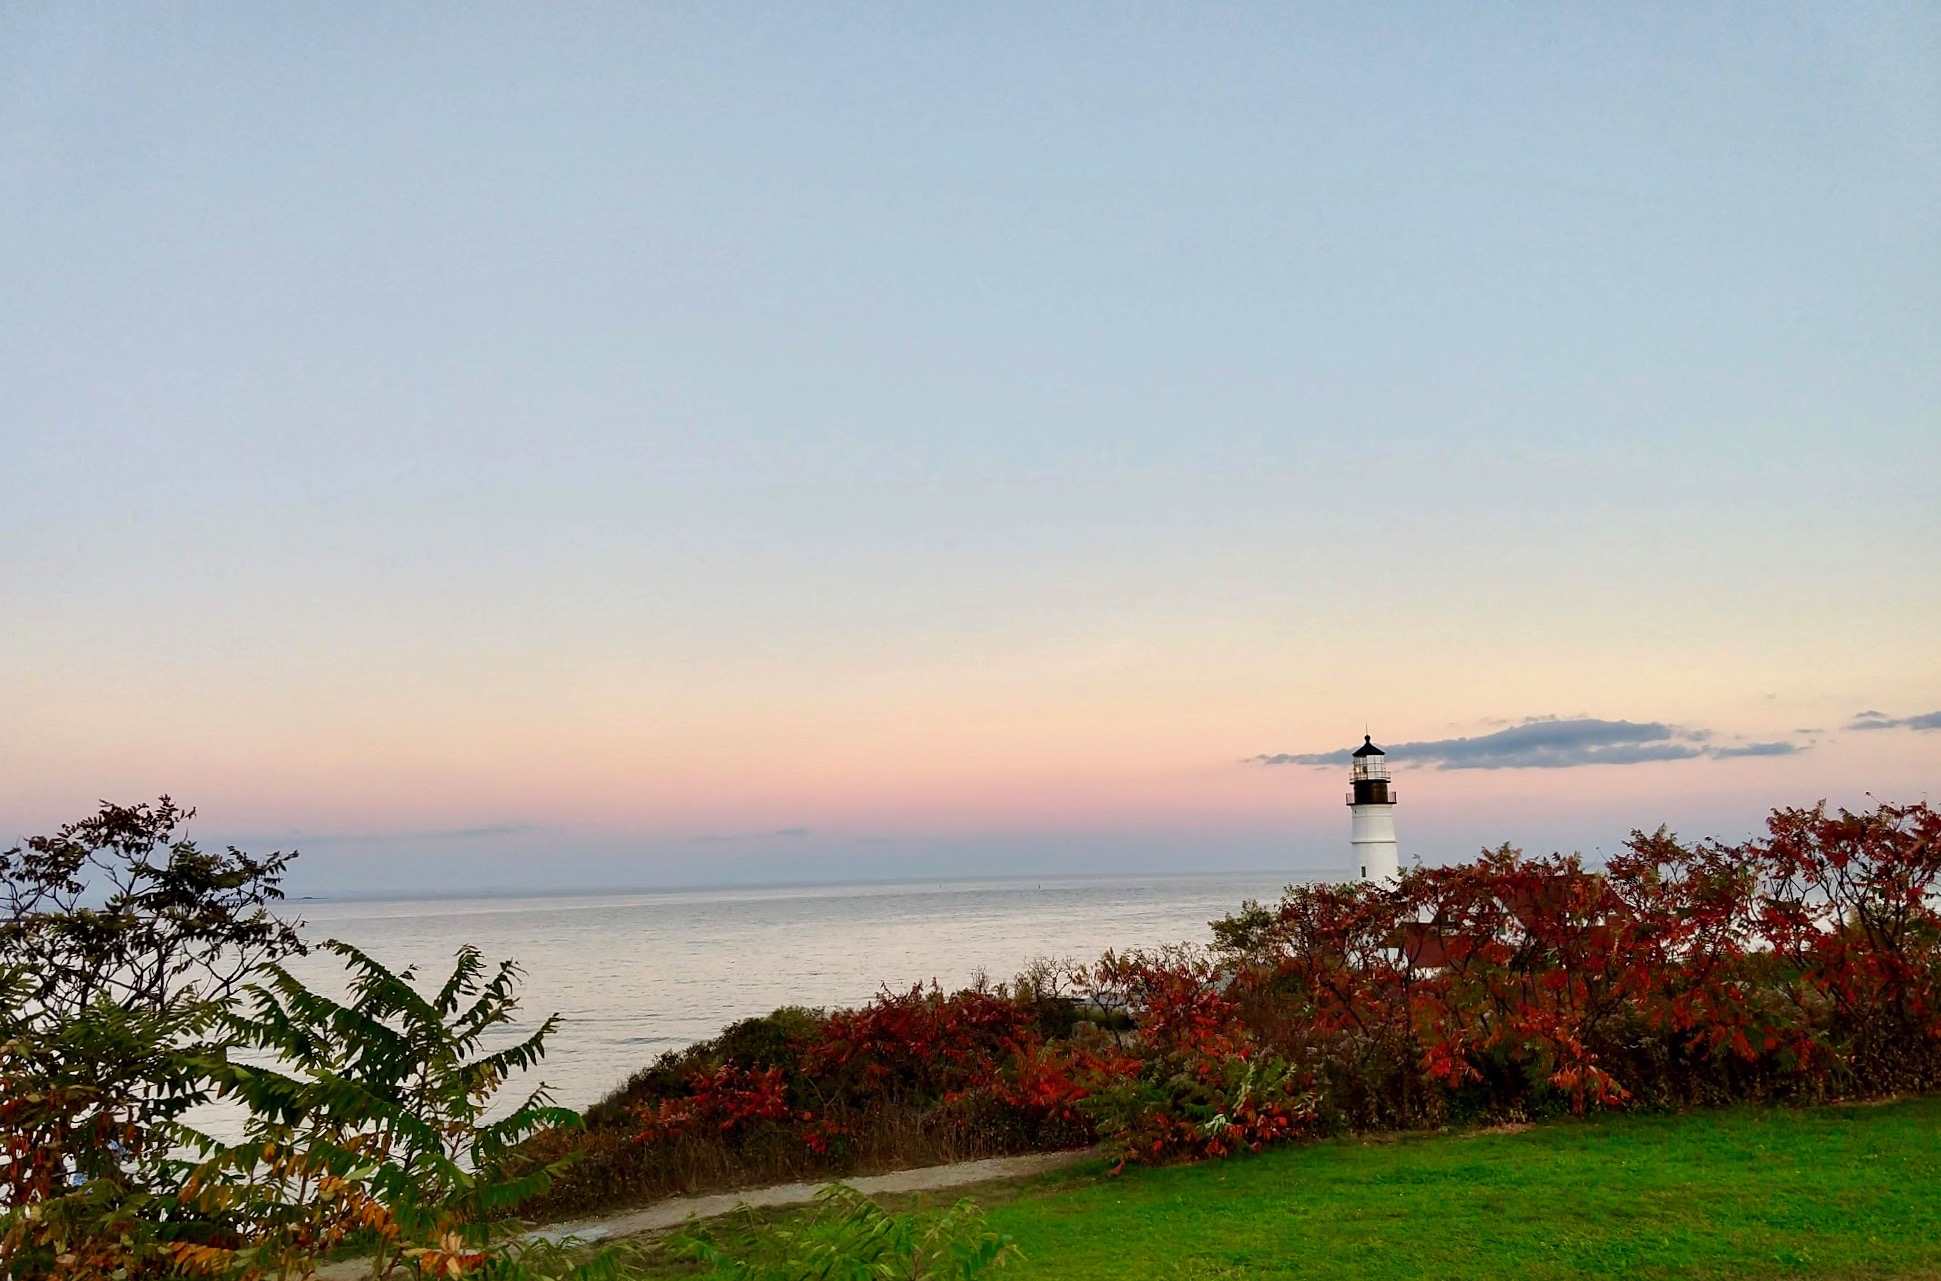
(1736, 1193)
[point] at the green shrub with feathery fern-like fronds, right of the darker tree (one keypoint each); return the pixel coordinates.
(378, 1123)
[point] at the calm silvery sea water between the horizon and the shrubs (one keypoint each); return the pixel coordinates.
(636, 975)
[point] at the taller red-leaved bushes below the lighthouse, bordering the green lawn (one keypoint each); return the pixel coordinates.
(1800, 966)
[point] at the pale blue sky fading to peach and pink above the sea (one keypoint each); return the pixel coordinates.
(558, 447)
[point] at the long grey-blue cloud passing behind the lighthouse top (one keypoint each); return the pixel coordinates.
(1550, 742)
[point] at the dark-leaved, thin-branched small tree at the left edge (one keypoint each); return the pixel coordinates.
(121, 942)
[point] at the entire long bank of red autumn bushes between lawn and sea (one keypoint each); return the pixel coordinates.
(1804, 966)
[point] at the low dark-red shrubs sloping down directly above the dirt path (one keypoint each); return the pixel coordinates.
(913, 1078)
